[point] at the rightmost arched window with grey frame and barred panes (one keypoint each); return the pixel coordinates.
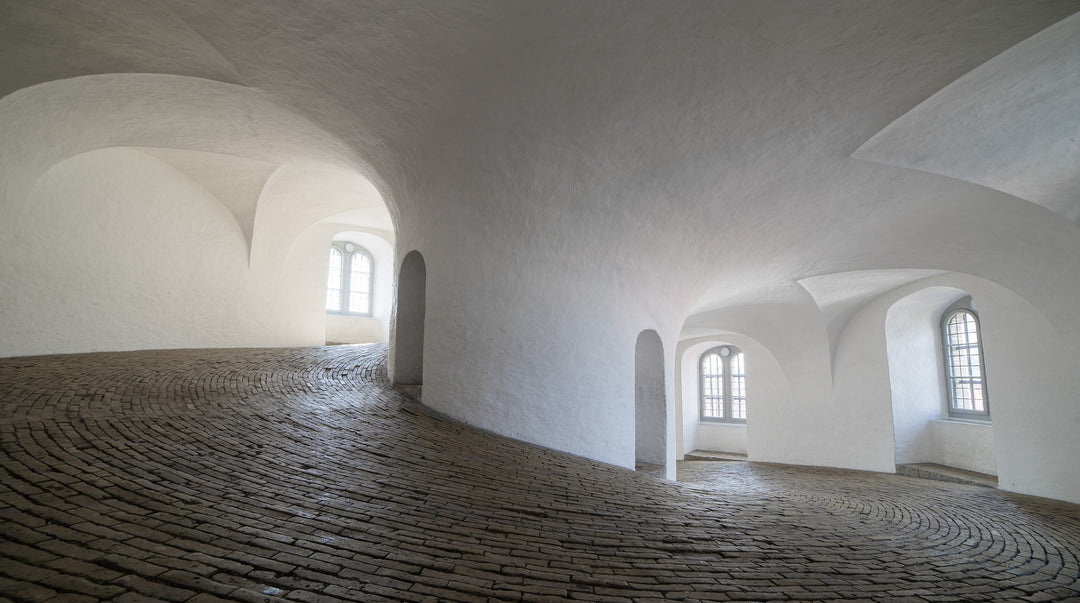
(965, 373)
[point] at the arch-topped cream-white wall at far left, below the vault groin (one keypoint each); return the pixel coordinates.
(117, 250)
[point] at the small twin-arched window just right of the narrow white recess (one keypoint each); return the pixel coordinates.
(724, 385)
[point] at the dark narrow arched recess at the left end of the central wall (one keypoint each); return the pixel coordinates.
(407, 366)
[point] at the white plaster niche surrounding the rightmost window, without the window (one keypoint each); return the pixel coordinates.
(923, 431)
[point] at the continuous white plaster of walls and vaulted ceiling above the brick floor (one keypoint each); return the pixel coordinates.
(574, 173)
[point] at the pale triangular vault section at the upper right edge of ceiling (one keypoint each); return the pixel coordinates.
(1012, 124)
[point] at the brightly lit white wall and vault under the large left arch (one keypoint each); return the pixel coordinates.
(187, 245)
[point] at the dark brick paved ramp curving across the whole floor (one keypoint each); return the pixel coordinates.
(299, 474)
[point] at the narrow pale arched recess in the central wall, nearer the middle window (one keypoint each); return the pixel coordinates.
(651, 404)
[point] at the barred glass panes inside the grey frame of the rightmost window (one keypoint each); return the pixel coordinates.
(965, 364)
